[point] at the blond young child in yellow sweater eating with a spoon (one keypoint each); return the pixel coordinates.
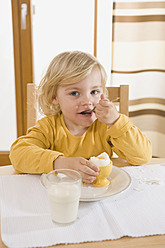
(69, 135)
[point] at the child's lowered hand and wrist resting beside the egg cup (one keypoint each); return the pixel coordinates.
(88, 170)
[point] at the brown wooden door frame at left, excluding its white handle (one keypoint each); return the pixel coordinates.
(23, 66)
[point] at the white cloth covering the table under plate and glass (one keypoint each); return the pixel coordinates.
(138, 211)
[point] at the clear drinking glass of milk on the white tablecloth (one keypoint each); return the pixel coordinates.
(64, 202)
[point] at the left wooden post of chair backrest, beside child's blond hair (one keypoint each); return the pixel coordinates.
(31, 105)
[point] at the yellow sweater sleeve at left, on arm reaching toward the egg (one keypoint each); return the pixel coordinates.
(33, 153)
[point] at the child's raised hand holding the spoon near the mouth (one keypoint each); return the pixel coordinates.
(106, 111)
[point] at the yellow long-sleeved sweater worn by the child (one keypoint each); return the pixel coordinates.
(49, 138)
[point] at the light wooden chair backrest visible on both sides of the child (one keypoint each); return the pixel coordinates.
(121, 91)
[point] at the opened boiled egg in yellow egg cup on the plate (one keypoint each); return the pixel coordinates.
(105, 165)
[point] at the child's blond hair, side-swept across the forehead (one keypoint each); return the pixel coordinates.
(66, 68)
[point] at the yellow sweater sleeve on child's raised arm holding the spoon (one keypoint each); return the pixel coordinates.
(128, 142)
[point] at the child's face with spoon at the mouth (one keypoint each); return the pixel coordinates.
(76, 98)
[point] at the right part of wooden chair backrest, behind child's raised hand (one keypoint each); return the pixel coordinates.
(122, 92)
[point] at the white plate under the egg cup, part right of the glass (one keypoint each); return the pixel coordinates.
(120, 181)
